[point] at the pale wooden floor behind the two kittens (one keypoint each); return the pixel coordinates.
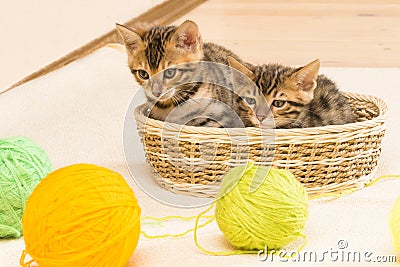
(341, 33)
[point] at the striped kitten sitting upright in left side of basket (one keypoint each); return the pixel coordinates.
(164, 60)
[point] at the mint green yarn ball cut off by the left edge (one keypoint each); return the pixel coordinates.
(22, 165)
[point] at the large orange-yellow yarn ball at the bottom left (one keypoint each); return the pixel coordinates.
(81, 215)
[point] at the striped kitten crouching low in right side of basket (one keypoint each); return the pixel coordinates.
(297, 97)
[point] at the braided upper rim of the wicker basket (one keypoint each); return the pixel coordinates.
(286, 133)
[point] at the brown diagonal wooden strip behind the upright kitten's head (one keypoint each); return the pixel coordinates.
(164, 13)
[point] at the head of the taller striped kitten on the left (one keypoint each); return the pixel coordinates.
(154, 54)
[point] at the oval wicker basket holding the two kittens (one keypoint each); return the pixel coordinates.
(192, 160)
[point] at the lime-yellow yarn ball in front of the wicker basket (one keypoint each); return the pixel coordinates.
(261, 207)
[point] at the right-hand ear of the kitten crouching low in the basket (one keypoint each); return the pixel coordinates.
(306, 77)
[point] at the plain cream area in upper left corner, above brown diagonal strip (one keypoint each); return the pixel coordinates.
(35, 33)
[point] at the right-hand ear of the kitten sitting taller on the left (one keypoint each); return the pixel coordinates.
(187, 37)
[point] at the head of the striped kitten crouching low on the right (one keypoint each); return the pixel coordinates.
(287, 90)
